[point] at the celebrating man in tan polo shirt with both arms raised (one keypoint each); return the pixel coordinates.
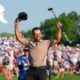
(38, 51)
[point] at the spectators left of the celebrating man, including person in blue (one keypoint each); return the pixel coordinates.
(11, 55)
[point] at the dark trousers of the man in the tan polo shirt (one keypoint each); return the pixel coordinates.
(36, 73)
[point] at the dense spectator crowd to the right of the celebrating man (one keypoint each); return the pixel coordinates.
(64, 59)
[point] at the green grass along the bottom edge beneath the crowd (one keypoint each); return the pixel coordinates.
(66, 77)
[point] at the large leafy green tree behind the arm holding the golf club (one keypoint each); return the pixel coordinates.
(68, 20)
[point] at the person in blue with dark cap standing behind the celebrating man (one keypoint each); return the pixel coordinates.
(23, 64)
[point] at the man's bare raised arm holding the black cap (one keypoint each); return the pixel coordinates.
(18, 34)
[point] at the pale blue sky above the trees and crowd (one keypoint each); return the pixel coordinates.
(37, 11)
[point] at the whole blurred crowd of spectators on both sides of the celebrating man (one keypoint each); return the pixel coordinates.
(61, 59)
